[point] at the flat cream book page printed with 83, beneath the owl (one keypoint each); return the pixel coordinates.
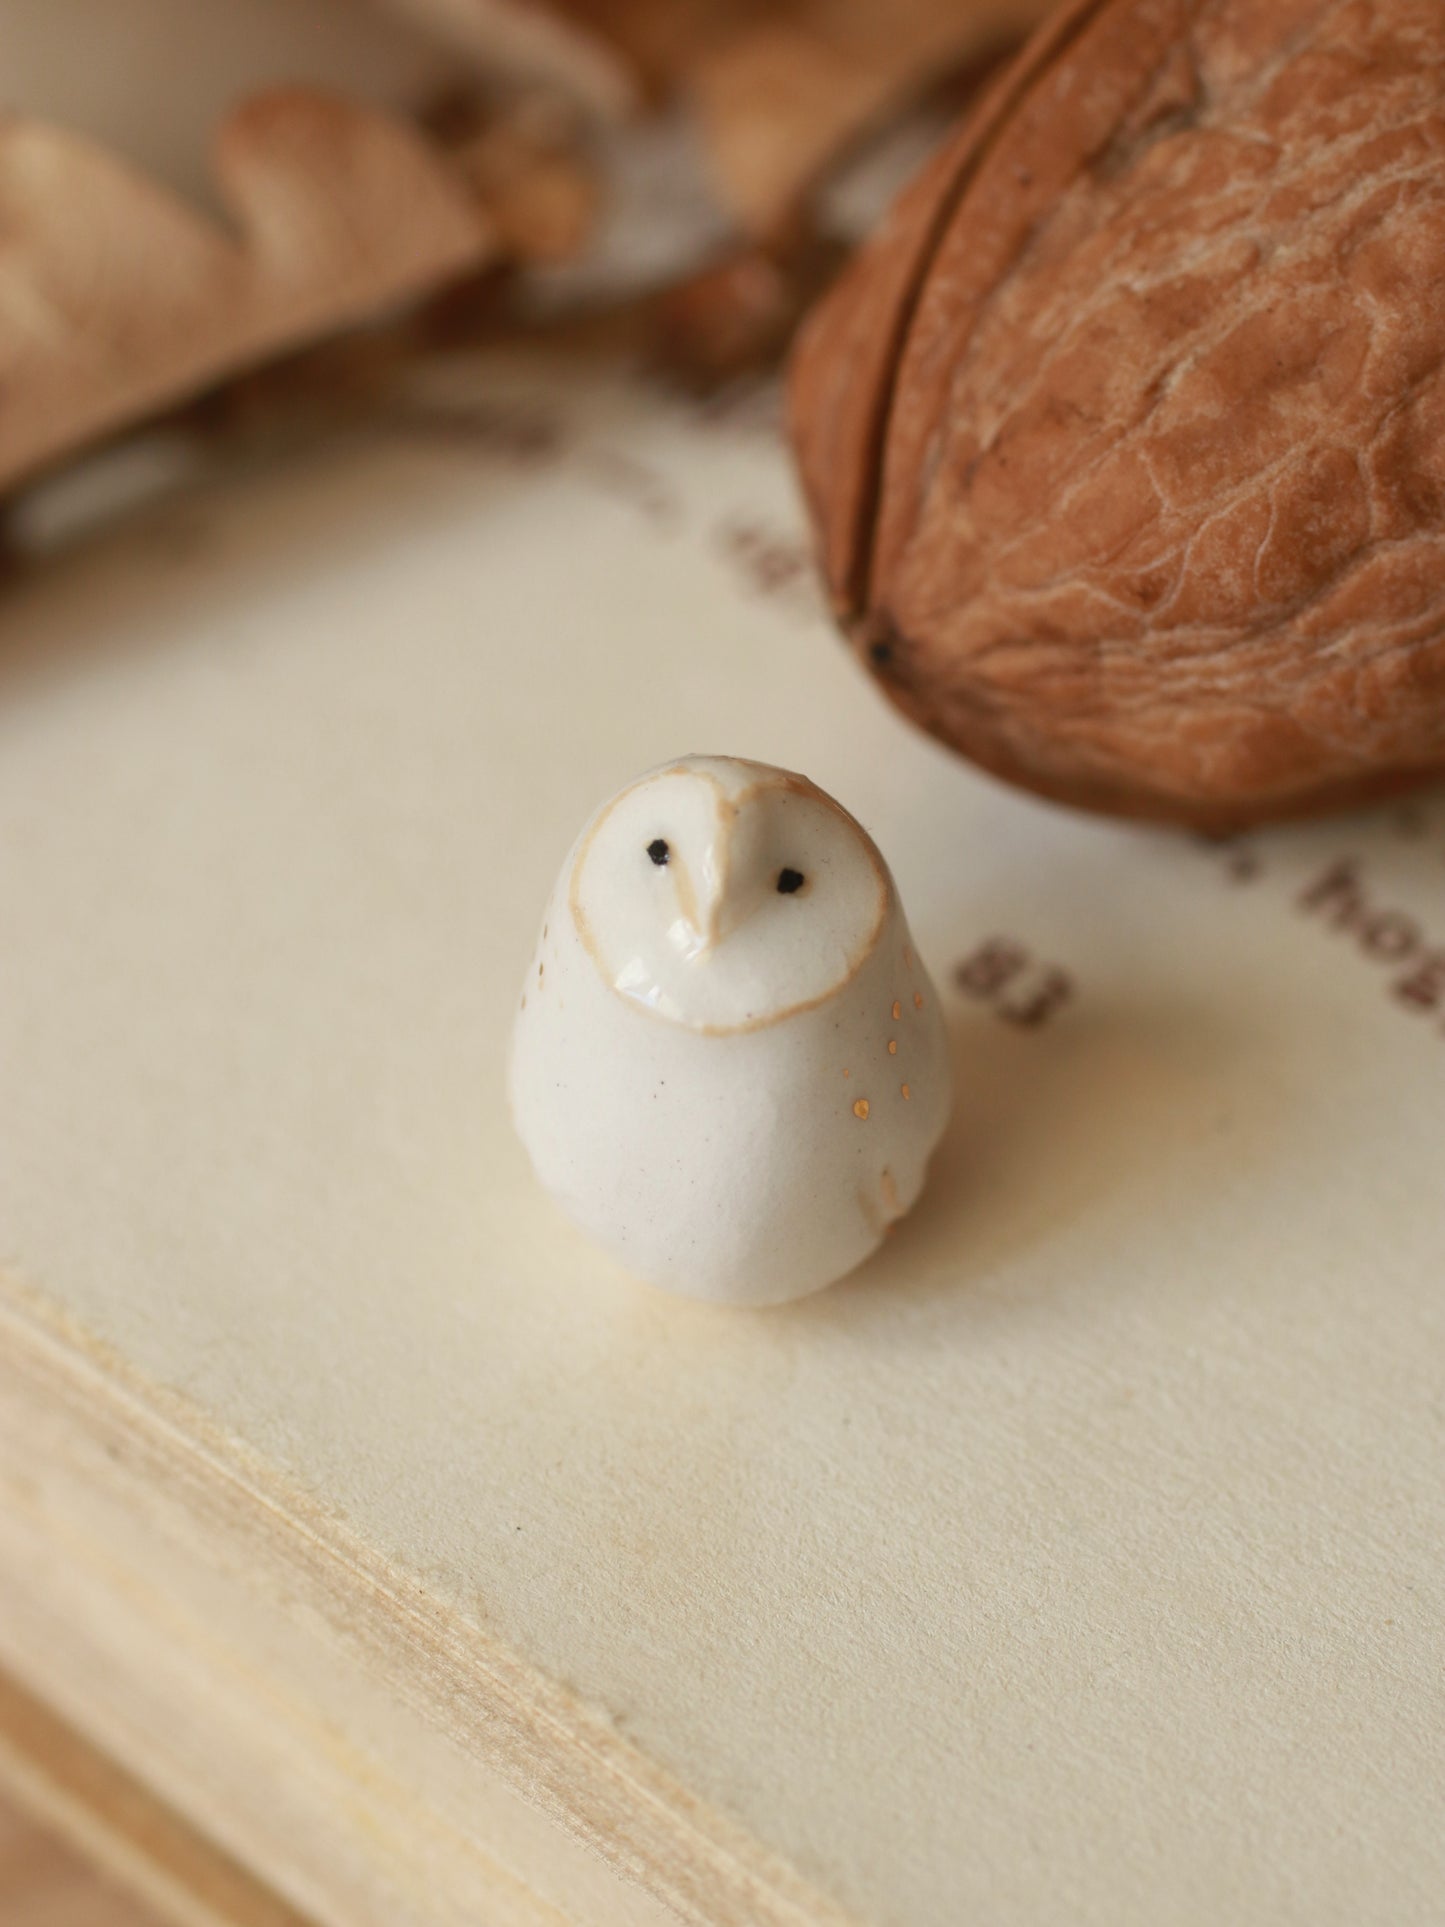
(1080, 1558)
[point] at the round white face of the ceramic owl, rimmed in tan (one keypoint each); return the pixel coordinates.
(725, 895)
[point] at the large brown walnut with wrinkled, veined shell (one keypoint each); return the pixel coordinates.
(1126, 436)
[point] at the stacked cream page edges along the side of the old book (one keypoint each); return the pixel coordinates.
(321, 1720)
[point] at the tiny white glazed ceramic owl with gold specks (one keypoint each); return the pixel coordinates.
(729, 1065)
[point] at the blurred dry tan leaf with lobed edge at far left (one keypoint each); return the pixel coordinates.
(118, 300)
